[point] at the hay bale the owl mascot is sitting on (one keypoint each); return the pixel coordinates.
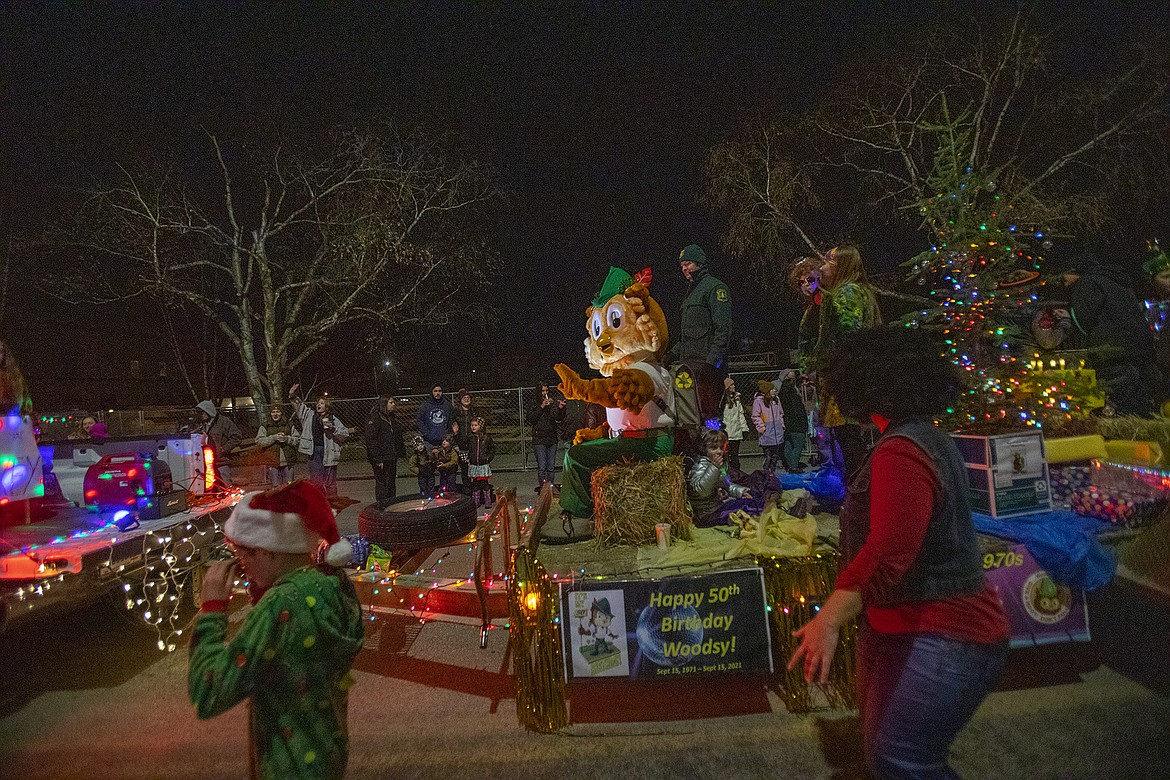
(631, 499)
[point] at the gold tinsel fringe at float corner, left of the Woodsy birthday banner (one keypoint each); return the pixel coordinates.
(535, 641)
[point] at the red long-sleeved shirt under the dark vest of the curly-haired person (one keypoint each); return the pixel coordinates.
(903, 496)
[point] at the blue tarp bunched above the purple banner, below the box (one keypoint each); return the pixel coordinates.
(1065, 544)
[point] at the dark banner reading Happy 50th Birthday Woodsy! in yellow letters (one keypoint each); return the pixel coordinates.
(713, 624)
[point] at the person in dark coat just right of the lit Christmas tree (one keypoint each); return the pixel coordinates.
(1121, 346)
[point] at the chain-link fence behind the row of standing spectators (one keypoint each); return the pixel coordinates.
(507, 413)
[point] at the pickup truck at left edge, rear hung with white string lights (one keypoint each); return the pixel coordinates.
(58, 555)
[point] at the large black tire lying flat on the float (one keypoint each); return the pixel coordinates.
(411, 522)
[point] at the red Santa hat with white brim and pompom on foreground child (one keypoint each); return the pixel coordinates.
(293, 519)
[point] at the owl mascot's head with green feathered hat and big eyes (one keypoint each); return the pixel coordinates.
(625, 325)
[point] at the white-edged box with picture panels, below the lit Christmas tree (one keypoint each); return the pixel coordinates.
(1008, 474)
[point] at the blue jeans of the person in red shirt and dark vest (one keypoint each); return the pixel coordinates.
(917, 692)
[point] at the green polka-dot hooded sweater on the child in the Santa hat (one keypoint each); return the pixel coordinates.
(292, 660)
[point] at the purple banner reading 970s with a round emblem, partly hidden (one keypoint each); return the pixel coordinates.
(1040, 610)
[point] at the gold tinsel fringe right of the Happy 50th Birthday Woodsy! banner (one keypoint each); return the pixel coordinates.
(795, 588)
